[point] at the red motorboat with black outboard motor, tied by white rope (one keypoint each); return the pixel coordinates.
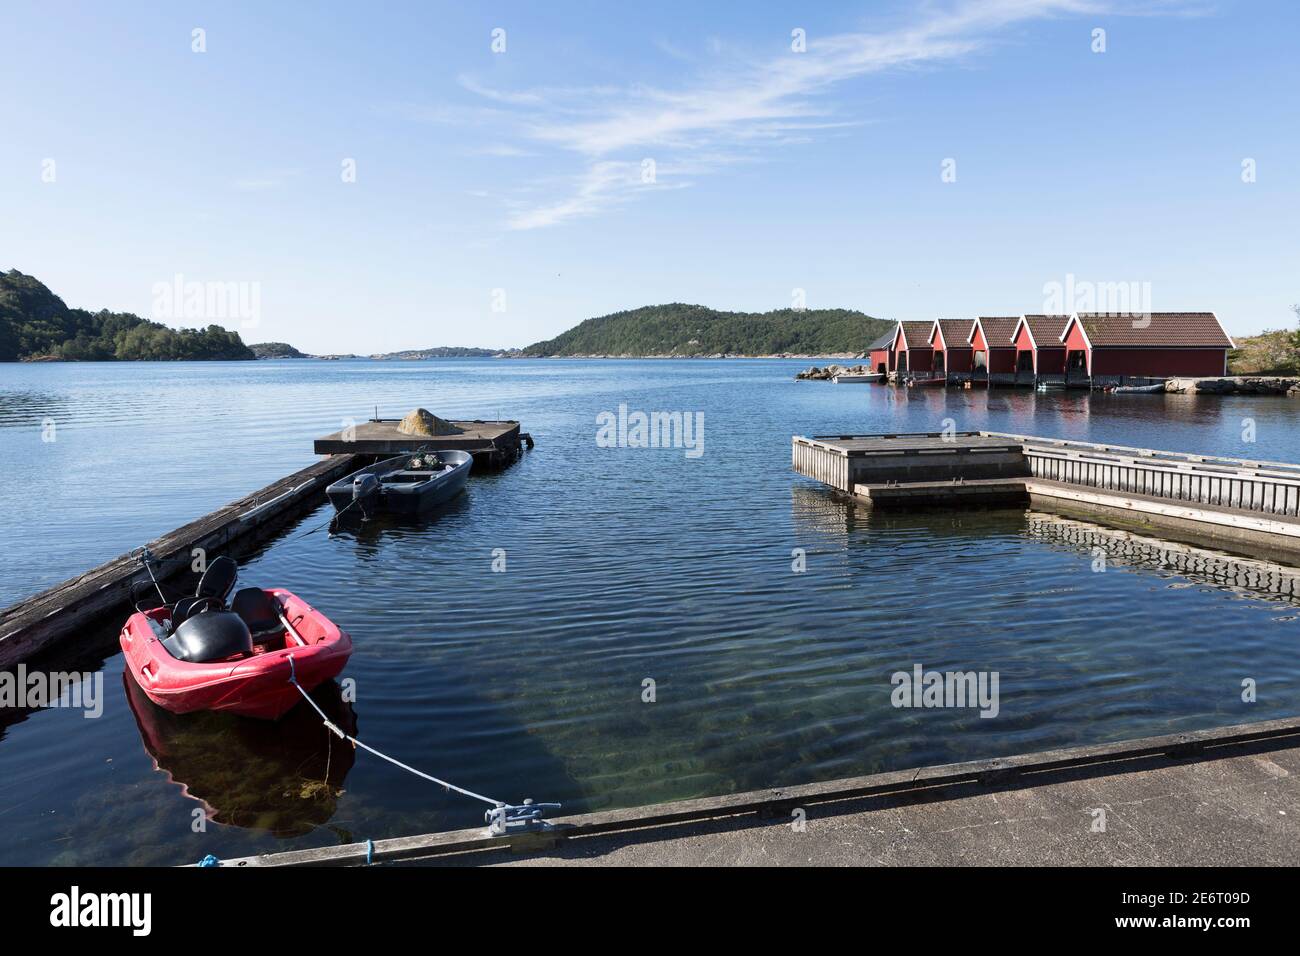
(203, 654)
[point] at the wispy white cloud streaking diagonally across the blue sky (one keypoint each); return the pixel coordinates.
(738, 109)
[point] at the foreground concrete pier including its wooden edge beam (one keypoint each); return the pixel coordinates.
(1206, 798)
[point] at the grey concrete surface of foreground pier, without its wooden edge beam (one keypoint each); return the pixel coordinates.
(1233, 812)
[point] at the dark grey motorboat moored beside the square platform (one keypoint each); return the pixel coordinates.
(405, 486)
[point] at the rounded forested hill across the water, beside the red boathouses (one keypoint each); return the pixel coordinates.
(697, 331)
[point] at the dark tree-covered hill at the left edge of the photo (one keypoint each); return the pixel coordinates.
(37, 326)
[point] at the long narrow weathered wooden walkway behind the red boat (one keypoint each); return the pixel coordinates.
(66, 611)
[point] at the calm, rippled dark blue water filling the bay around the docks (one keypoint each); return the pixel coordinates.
(622, 565)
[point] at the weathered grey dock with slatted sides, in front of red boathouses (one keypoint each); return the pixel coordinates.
(1233, 500)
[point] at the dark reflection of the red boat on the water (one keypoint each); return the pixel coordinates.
(284, 778)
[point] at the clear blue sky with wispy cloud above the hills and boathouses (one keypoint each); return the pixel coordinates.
(774, 170)
